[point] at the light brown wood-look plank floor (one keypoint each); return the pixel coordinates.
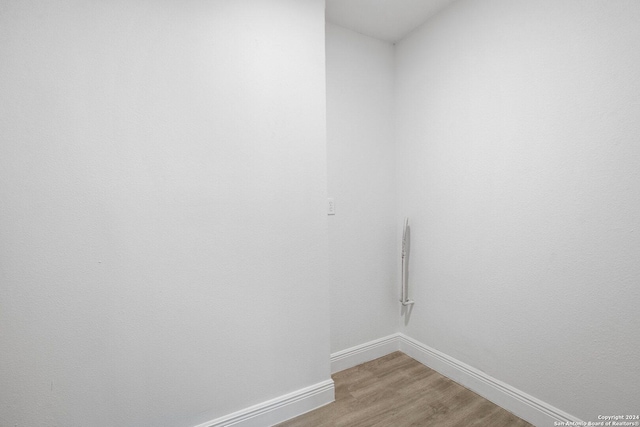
(397, 391)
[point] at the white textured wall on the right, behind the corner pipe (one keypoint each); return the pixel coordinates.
(519, 164)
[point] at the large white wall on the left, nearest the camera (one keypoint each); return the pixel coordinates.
(163, 234)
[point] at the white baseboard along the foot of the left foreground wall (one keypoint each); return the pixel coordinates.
(279, 409)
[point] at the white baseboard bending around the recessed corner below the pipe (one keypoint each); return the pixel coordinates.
(527, 407)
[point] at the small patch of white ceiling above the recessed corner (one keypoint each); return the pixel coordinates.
(388, 20)
